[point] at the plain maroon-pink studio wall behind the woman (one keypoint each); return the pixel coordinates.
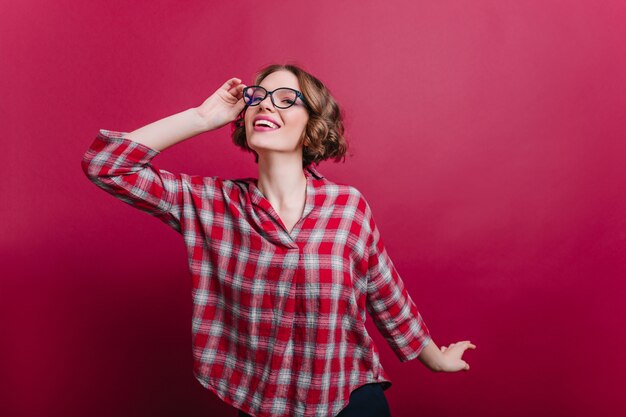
(488, 137)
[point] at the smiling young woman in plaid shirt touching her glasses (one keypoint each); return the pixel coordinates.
(284, 267)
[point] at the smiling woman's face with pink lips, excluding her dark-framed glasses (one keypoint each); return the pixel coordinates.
(290, 122)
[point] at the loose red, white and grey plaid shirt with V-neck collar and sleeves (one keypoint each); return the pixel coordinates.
(278, 321)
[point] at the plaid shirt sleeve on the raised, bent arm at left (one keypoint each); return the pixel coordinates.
(122, 168)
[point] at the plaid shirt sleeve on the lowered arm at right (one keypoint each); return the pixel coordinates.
(389, 303)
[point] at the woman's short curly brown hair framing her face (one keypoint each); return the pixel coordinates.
(324, 133)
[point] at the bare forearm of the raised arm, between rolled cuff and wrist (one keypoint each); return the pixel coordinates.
(171, 130)
